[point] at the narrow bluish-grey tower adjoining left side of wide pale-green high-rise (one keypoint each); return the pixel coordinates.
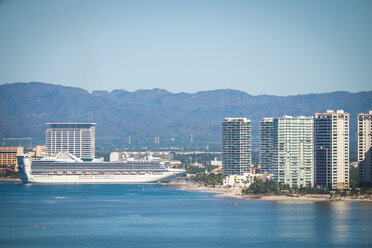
(266, 145)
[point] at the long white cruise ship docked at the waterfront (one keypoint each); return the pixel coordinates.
(66, 168)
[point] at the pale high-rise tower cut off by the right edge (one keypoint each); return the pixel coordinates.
(364, 147)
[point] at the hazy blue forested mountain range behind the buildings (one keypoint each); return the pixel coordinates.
(144, 114)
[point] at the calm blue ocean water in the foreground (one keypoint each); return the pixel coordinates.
(150, 216)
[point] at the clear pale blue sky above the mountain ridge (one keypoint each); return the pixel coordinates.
(273, 47)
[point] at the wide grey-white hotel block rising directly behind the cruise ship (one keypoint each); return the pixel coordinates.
(75, 138)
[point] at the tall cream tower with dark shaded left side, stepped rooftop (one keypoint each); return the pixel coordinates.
(331, 144)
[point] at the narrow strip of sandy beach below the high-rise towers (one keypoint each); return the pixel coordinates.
(236, 193)
